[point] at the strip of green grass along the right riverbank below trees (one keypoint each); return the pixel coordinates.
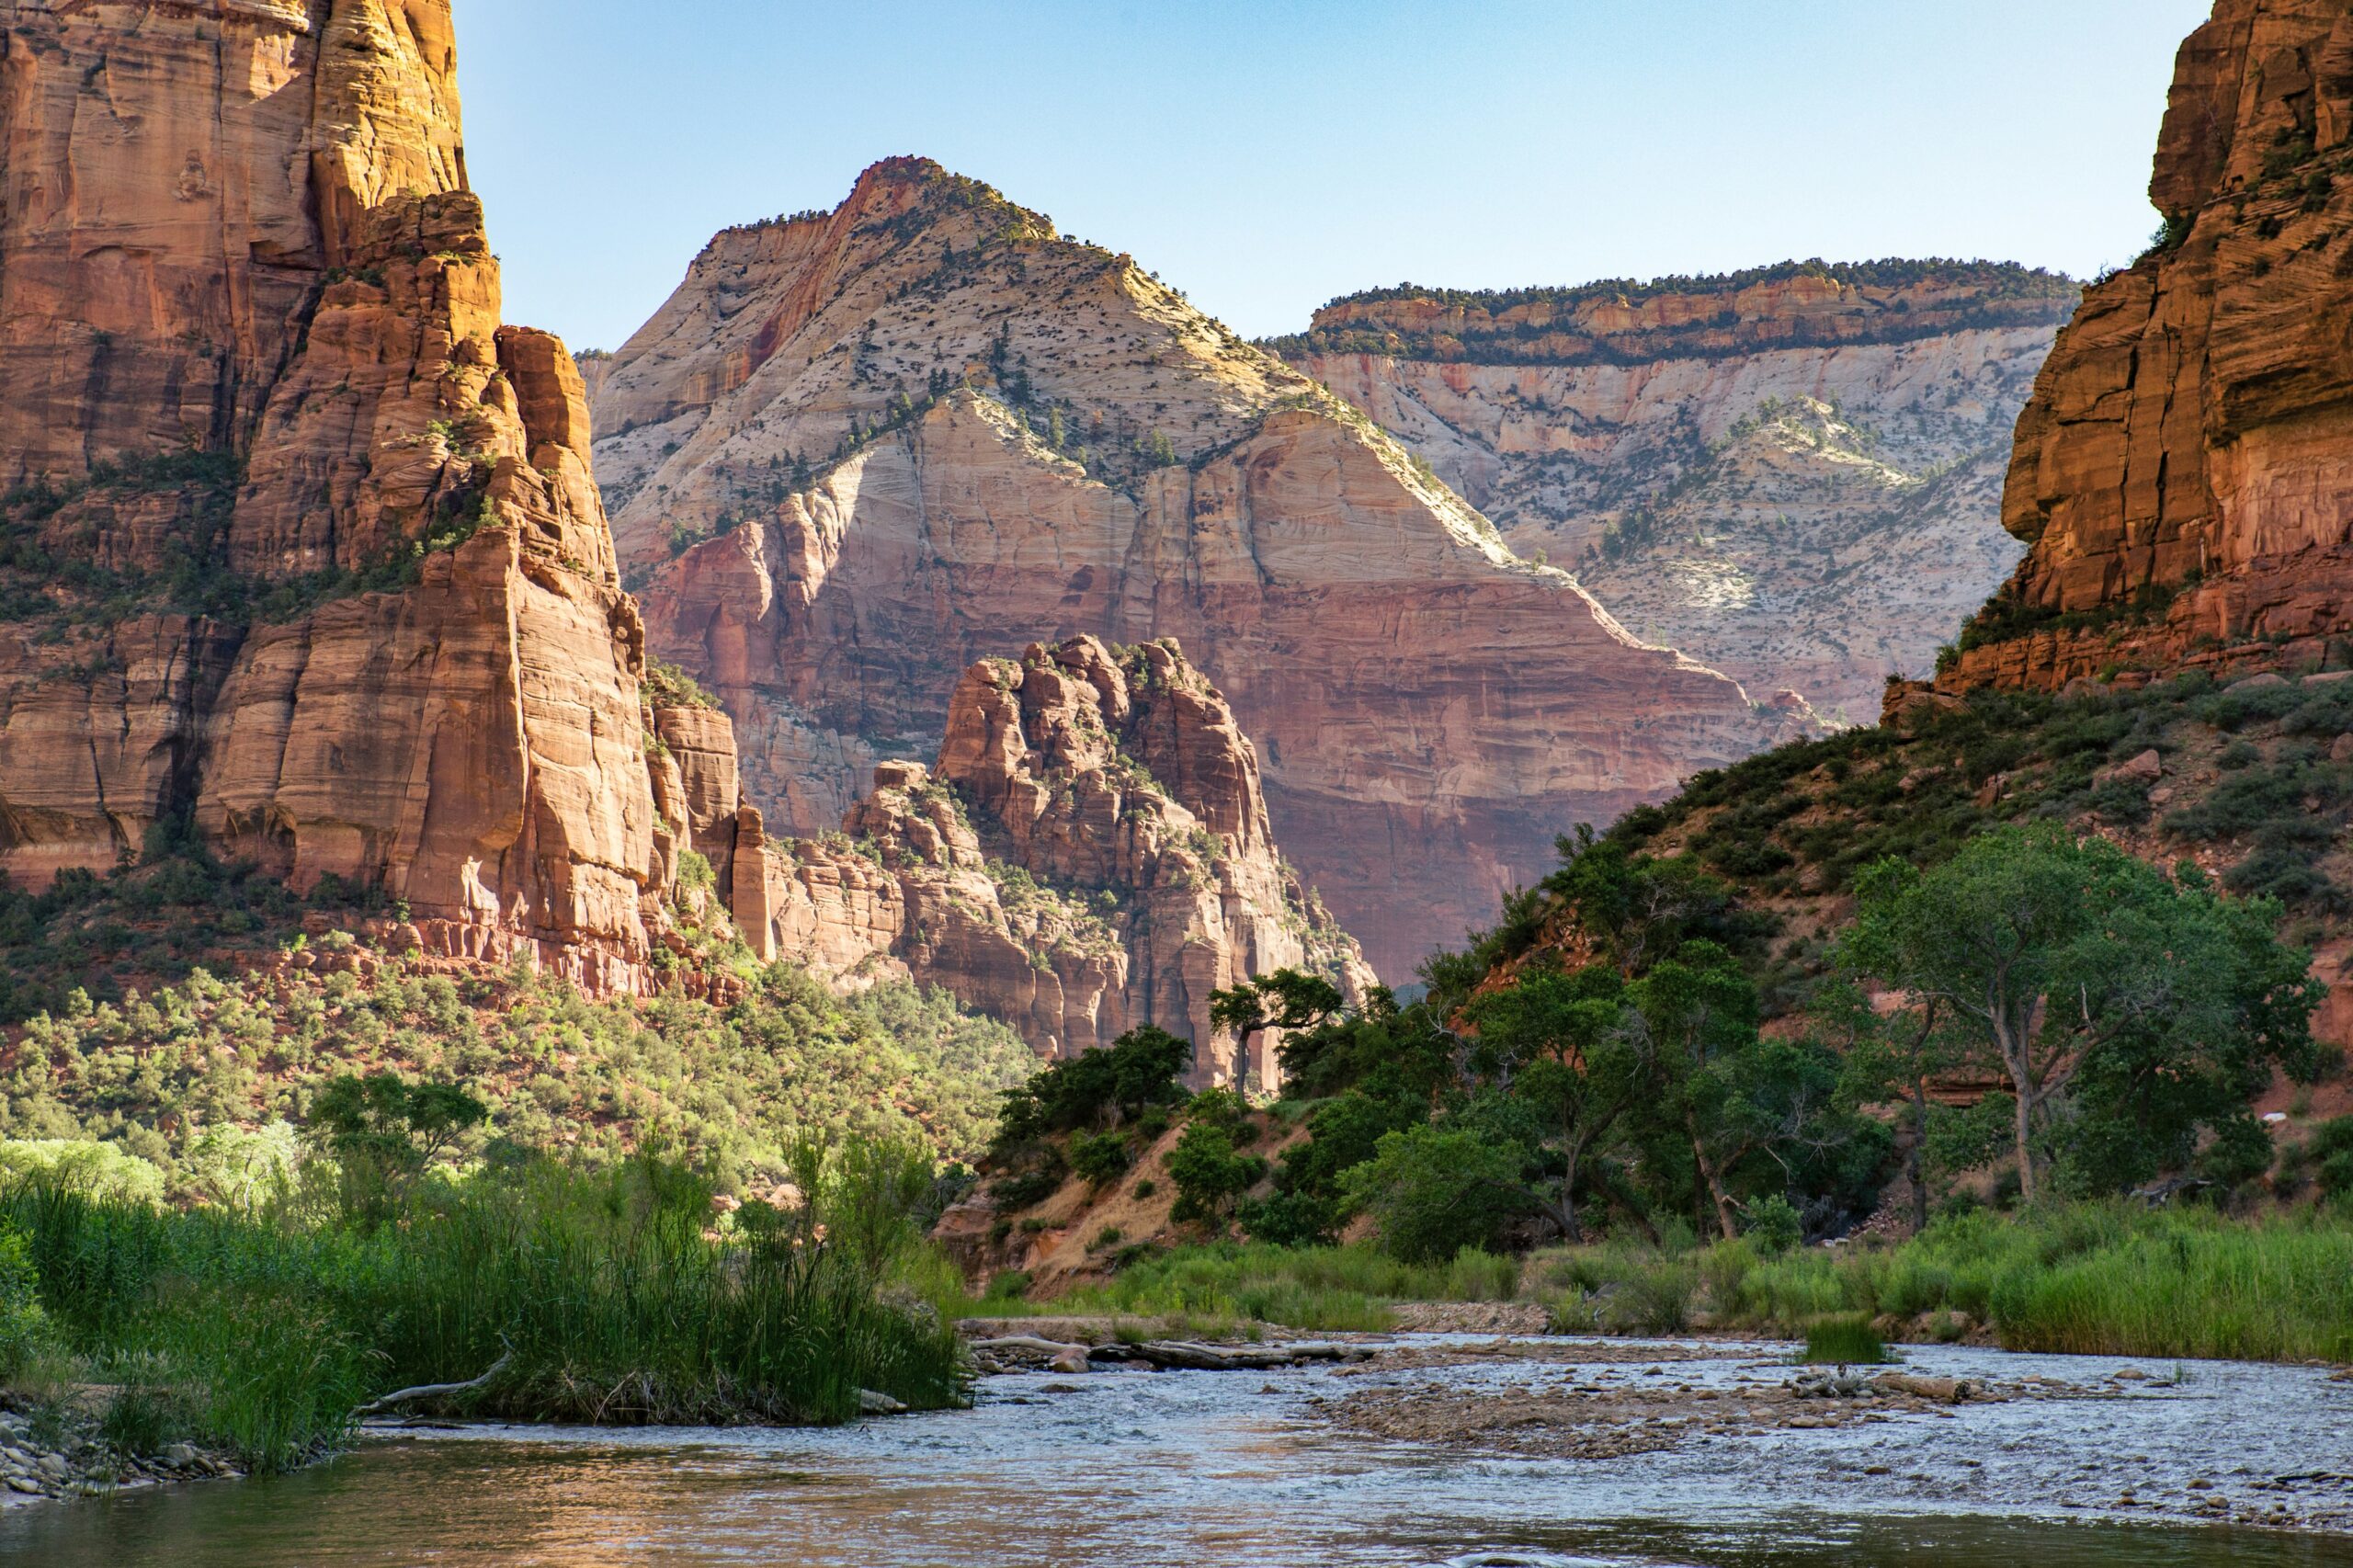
(2091, 1280)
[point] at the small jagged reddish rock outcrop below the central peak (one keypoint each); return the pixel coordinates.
(1088, 856)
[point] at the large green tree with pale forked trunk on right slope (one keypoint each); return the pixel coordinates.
(2142, 1009)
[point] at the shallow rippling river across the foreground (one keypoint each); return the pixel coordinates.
(1234, 1470)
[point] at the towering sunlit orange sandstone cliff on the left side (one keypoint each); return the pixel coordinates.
(305, 547)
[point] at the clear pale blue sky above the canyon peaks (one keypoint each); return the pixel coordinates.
(1272, 154)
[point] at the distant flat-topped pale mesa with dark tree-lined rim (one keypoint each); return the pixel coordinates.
(1792, 474)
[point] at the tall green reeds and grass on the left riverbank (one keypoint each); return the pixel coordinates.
(594, 1296)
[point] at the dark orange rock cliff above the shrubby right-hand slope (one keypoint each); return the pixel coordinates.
(2185, 472)
